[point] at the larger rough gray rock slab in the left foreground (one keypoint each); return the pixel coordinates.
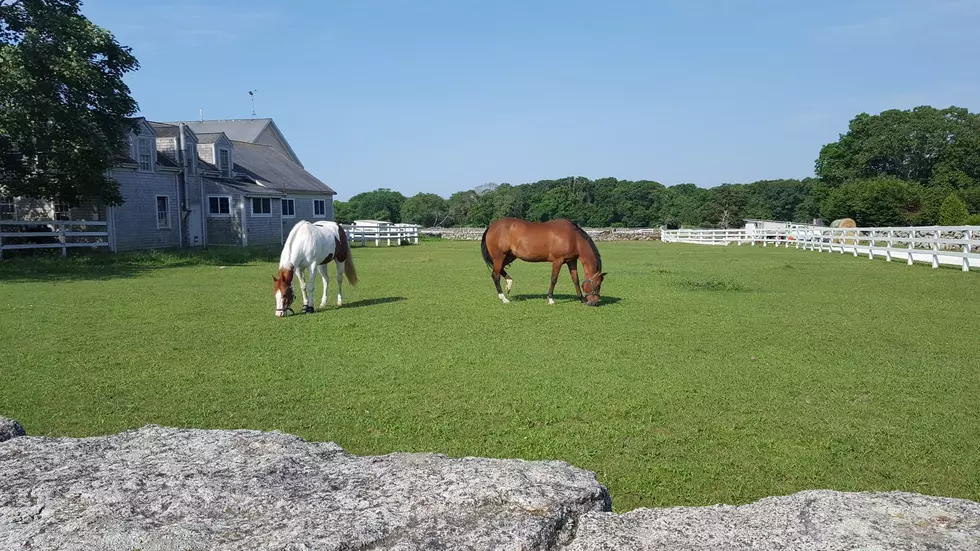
(162, 488)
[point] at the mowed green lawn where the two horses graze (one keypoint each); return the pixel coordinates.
(709, 374)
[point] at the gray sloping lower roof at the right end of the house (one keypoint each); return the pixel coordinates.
(269, 166)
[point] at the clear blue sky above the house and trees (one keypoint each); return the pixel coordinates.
(444, 95)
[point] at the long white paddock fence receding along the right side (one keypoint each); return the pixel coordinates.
(937, 245)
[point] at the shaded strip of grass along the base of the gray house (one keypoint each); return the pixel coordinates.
(101, 265)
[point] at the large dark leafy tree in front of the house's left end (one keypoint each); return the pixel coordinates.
(64, 108)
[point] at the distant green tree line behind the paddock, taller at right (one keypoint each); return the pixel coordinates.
(910, 167)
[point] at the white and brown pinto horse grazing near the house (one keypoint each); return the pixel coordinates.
(311, 247)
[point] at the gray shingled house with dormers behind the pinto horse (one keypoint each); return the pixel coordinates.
(187, 183)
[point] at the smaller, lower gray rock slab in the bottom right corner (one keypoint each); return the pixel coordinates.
(817, 520)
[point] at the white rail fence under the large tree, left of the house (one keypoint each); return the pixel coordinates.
(59, 235)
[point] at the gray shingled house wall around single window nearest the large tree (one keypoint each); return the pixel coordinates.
(135, 221)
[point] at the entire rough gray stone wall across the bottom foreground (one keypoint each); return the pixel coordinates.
(189, 489)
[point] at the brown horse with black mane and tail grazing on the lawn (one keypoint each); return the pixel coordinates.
(560, 242)
